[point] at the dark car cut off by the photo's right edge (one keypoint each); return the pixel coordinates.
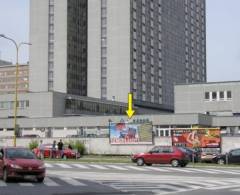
(232, 157)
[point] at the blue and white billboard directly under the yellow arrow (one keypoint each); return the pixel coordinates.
(130, 133)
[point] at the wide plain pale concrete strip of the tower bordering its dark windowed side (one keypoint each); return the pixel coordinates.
(118, 50)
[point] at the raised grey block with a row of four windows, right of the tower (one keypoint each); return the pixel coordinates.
(214, 98)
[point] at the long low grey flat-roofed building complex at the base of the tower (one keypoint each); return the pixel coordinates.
(54, 114)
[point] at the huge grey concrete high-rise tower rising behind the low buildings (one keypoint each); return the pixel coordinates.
(108, 48)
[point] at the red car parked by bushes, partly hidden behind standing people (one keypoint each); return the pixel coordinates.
(67, 152)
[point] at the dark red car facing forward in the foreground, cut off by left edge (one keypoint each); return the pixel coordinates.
(18, 162)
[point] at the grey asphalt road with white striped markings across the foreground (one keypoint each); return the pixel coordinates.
(78, 179)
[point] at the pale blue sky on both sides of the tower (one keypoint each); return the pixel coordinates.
(223, 36)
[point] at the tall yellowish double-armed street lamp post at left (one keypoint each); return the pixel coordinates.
(16, 83)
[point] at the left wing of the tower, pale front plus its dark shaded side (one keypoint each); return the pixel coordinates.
(58, 58)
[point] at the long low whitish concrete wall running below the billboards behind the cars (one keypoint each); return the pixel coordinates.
(102, 145)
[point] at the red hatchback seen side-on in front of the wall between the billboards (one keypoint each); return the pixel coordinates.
(162, 155)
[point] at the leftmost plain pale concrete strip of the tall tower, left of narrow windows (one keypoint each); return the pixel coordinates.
(38, 53)
